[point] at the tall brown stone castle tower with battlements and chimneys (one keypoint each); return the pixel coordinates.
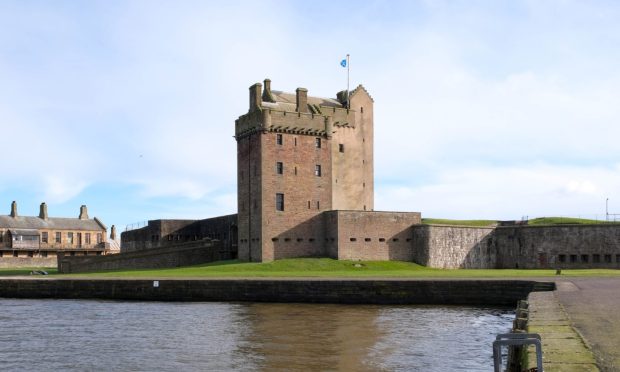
(298, 156)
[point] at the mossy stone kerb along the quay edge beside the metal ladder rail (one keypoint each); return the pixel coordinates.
(563, 347)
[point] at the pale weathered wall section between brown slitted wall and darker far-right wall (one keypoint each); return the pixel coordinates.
(454, 247)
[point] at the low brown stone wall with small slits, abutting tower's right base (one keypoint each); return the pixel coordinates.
(370, 236)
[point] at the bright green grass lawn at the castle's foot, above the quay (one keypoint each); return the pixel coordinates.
(329, 268)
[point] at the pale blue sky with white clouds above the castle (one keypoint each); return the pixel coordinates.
(483, 109)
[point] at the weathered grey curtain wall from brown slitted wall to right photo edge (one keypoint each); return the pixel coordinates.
(523, 247)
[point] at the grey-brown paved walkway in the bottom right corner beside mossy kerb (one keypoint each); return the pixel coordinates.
(593, 306)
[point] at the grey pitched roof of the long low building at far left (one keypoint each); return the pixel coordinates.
(52, 223)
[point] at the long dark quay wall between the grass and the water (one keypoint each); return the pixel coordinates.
(346, 291)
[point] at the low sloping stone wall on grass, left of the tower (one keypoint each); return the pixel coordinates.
(186, 254)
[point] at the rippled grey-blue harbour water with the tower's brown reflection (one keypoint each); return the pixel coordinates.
(148, 336)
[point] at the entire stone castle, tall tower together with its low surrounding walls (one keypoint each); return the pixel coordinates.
(305, 188)
